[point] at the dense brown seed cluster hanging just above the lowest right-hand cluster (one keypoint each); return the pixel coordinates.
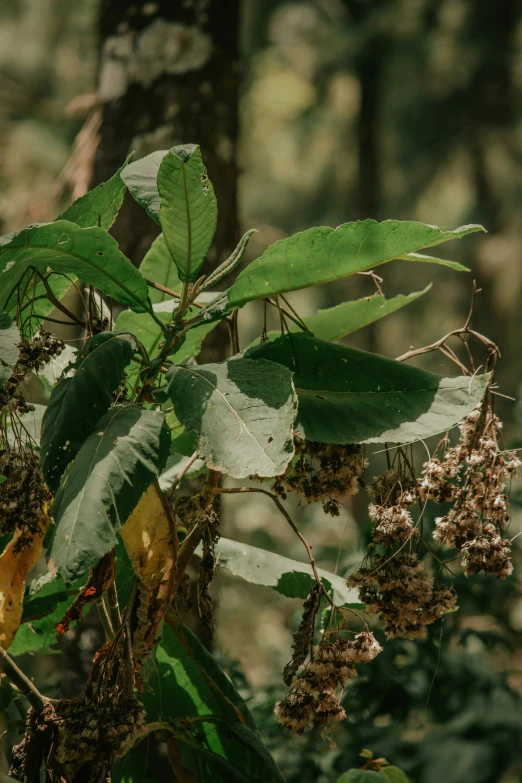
(404, 597)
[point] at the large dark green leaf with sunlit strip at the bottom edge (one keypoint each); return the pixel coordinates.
(186, 682)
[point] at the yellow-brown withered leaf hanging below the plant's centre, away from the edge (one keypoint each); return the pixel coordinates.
(150, 539)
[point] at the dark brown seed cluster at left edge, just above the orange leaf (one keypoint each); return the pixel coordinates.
(22, 496)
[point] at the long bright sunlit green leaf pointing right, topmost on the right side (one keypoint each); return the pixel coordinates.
(321, 255)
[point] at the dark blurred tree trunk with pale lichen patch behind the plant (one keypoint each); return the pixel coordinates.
(169, 74)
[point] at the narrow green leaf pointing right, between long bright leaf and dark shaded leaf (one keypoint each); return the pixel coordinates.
(336, 322)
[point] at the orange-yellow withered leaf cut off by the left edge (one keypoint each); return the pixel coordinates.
(14, 567)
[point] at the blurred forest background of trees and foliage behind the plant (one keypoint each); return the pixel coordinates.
(407, 109)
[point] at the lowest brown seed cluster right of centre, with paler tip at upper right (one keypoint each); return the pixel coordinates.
(312, 700)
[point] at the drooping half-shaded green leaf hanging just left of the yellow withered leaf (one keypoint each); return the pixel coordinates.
(103, 485)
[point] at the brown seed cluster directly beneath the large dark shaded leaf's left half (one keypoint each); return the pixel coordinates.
(324, 473)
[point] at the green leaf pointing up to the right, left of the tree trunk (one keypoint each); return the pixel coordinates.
(98, 207)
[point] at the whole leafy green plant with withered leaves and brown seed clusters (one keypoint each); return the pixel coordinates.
(92, 478)
